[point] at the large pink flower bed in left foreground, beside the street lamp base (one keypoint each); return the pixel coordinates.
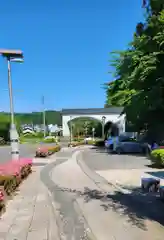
(12, 174)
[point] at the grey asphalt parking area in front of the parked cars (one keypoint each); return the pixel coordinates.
(98, 159)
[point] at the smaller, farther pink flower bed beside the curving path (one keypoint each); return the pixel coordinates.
(47, 151)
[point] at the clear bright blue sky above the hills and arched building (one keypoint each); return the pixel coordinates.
(66, 46)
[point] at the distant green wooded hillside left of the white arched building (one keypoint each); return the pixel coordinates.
(52, 117)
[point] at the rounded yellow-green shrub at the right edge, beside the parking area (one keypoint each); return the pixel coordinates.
(157, 157)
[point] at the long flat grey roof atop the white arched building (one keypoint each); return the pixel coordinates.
(82, 111)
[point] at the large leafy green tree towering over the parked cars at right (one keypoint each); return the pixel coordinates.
(138, 83)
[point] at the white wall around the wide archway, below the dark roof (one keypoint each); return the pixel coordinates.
(115, 118)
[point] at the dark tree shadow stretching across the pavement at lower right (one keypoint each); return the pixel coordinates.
(137, 206)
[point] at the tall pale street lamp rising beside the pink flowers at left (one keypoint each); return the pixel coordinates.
(12, 56)
